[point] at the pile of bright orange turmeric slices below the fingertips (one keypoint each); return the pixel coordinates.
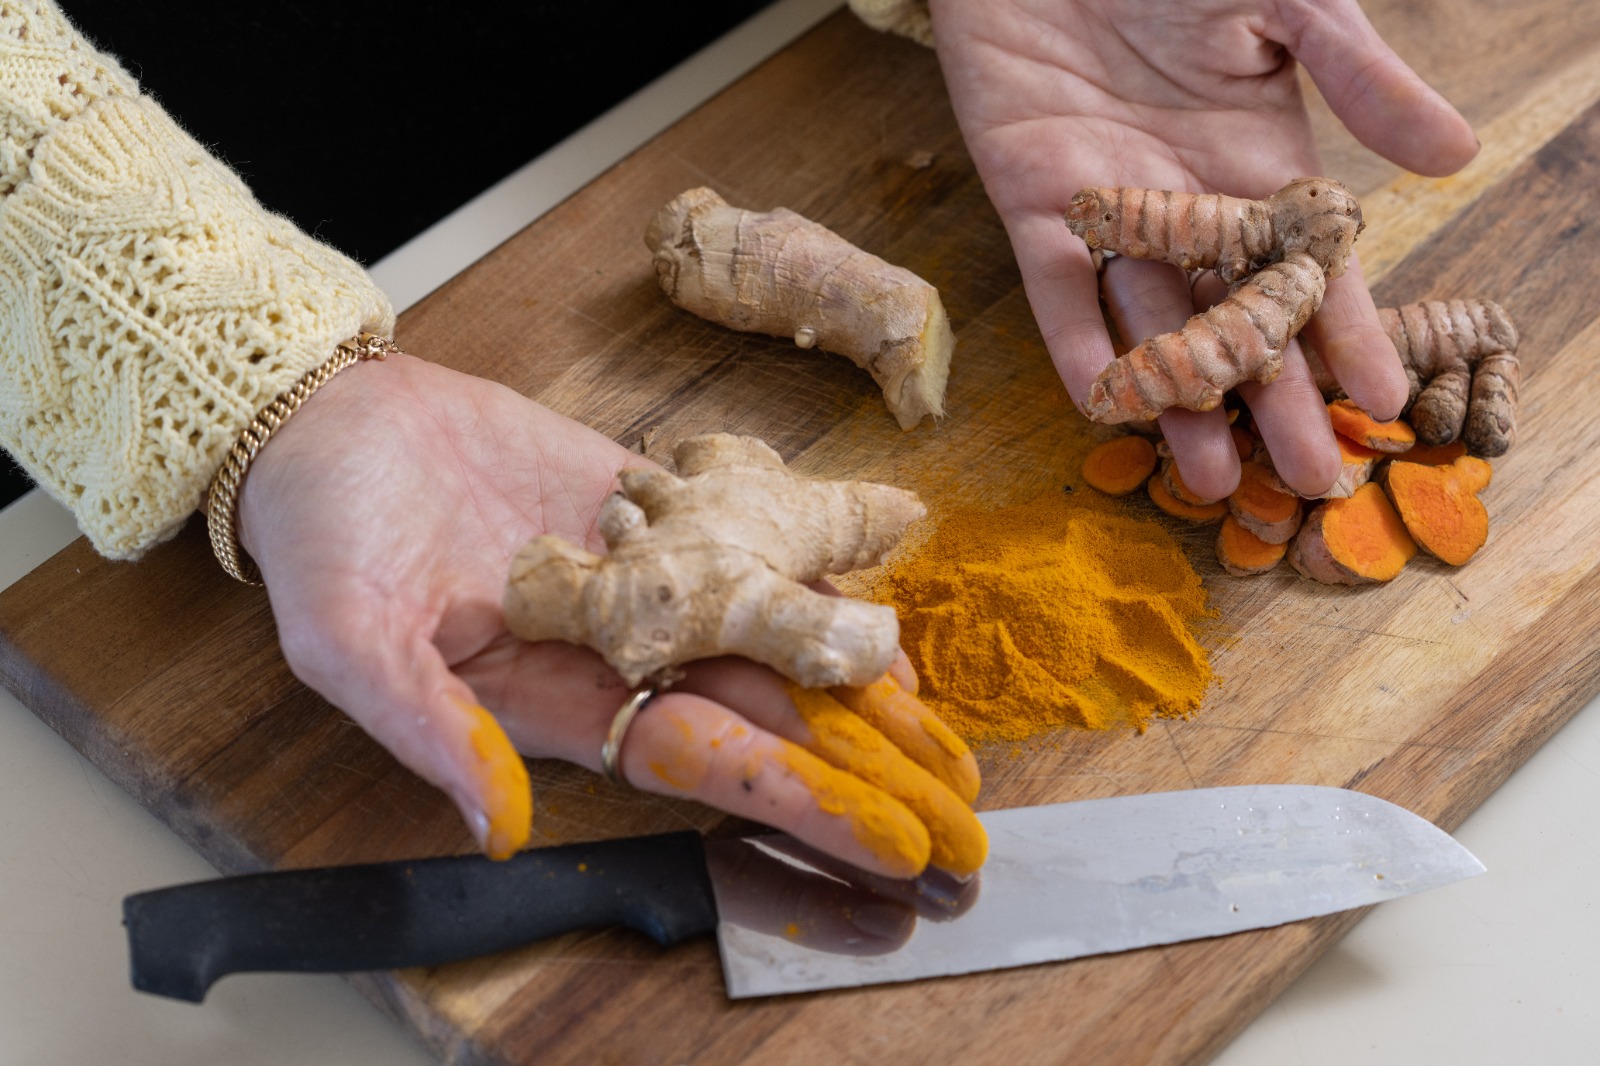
(1394, 497)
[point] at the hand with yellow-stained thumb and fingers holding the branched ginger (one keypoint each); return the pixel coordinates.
(385, 516)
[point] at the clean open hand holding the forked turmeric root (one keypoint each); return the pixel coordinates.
(1060, 95)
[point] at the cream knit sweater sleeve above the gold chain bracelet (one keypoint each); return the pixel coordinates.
(148, 305)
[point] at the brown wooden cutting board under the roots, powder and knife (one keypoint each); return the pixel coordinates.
(1428, 692)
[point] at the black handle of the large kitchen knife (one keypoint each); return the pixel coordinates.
(423, 913)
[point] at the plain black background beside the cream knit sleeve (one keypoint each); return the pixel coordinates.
(367, 122)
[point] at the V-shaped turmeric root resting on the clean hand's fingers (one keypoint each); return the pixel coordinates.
(1278, 254)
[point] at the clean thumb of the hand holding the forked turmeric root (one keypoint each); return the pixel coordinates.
(1380, 100)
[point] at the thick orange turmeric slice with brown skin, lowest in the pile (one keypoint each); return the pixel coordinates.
(1359, 540)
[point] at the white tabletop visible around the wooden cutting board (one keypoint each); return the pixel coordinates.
(1500, 969)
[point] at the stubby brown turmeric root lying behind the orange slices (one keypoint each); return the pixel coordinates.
(1462, 361)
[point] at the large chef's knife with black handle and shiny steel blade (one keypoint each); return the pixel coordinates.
(1062, 883)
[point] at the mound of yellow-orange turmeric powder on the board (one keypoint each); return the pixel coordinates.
(1062, 612)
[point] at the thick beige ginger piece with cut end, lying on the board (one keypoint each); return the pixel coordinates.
(782, 275)
